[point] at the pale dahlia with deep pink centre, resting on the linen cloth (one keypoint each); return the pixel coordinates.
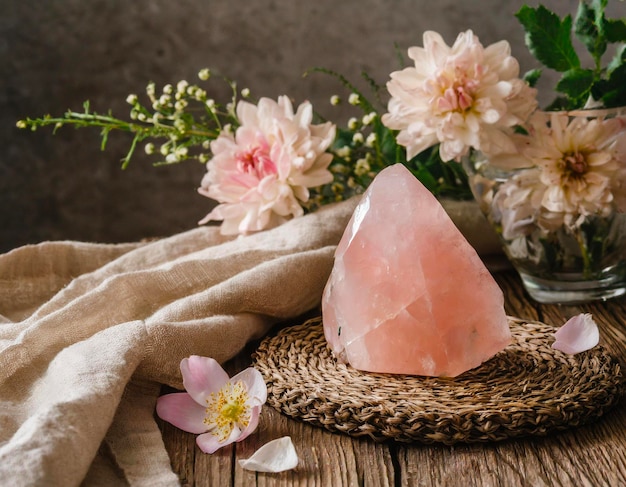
(260, 174)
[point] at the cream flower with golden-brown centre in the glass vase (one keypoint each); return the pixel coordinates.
(579, 171)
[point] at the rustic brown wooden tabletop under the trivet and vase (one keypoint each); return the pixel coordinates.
(593, 455)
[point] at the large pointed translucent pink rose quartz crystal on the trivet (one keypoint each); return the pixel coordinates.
(407, 293)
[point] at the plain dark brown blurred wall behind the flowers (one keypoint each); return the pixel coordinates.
(54, 54)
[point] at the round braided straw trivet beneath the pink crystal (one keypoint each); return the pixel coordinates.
(527, 389)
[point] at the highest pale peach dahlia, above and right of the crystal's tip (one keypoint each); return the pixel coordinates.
(461, 96)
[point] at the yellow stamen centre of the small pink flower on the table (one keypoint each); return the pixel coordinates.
(226, 408)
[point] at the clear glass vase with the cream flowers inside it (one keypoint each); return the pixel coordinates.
(567, 250)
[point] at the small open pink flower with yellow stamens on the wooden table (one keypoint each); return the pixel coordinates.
(219, 409)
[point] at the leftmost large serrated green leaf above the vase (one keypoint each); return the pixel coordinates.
(548, 38)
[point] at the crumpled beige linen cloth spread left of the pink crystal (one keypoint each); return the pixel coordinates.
(88, 332)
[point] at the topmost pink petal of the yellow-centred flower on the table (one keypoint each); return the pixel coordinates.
(202, 376)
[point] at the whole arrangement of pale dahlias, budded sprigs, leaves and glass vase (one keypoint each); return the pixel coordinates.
(551, 183)
